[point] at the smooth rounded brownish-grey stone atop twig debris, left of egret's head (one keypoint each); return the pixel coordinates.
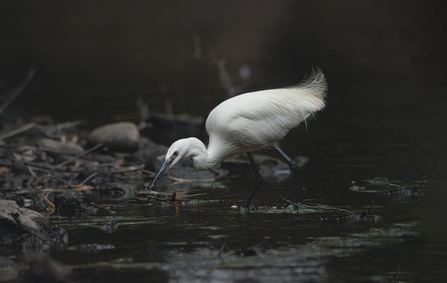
(122, 136)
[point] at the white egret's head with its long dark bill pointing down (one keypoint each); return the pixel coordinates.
(176, 152)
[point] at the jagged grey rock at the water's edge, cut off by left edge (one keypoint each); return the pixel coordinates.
(25, 229)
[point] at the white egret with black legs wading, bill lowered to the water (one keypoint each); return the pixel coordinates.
(249, 122)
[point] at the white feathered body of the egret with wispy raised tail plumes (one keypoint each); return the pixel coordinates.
(255, 120)
